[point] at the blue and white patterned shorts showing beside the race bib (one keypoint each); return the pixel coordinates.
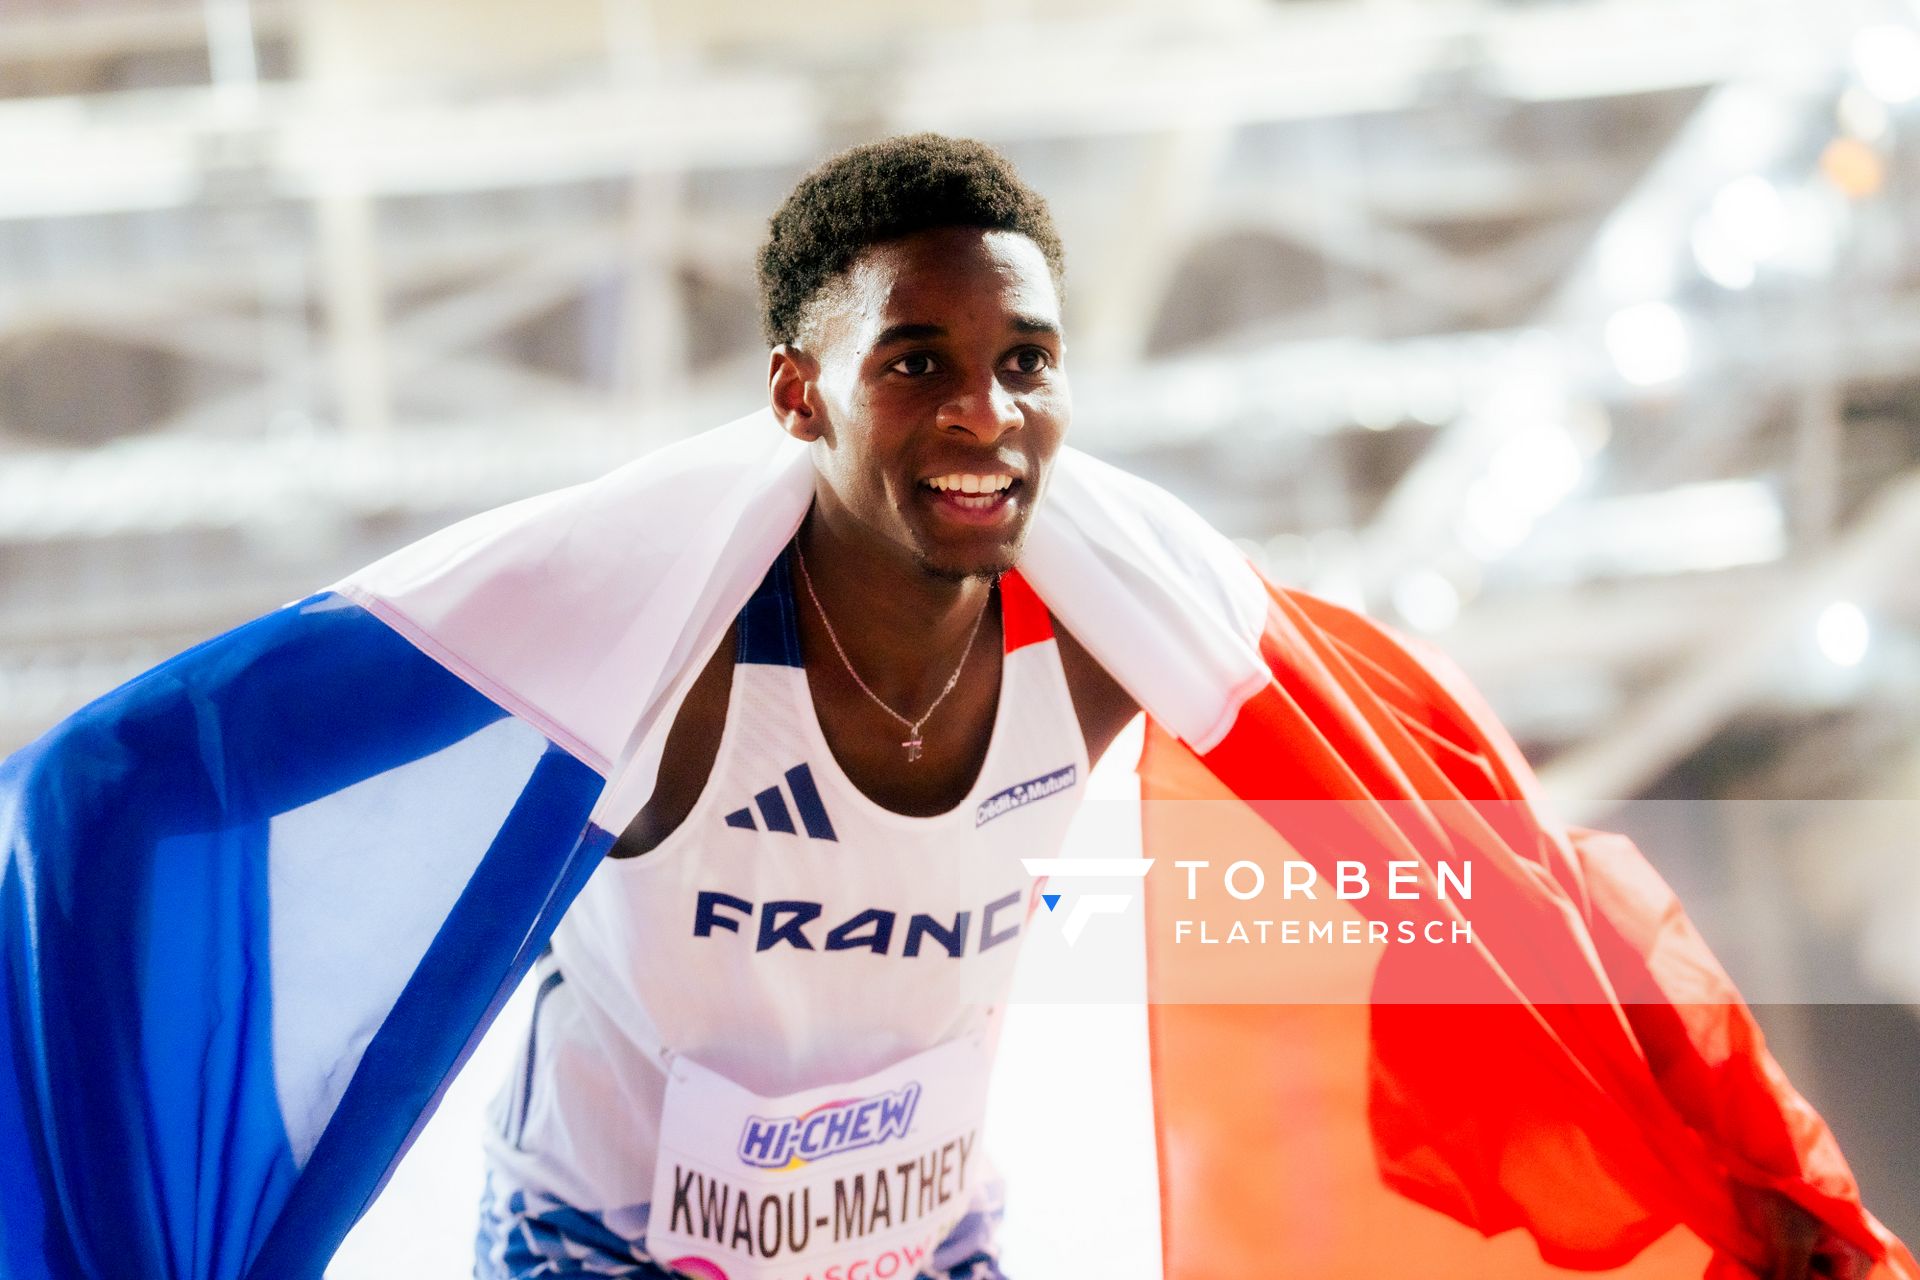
(531, 1237)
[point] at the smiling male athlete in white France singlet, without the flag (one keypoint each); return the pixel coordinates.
(809, 899)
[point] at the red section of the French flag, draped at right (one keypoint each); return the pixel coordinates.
(1595, 1081)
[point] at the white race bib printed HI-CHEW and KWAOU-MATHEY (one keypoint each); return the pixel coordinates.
(853, 1181)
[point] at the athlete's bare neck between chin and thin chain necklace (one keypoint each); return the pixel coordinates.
(901, 627)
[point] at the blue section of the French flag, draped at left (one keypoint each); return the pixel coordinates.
(141, 1126)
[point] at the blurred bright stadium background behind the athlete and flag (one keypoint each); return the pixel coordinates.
(1579, 337)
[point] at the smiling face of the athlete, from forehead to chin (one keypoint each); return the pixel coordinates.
(932, 385)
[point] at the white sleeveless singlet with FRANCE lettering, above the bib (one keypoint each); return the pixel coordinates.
(790, 934)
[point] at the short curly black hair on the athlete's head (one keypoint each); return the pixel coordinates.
(880, 193)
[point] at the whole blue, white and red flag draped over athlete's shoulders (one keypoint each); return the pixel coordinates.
(260, 903)
